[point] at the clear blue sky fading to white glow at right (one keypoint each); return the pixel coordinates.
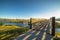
(29, 8)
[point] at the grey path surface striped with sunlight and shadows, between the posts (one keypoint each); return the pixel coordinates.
(41, 32)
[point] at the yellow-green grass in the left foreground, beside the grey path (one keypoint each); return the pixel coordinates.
(10, 32)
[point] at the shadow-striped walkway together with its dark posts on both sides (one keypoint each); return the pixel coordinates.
(42, 31)
